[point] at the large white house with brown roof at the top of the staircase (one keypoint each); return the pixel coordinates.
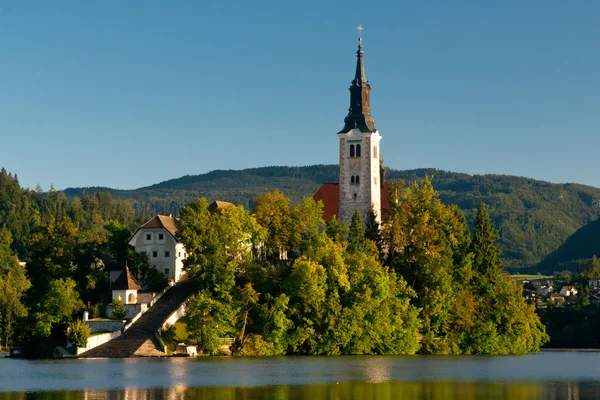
(157, 238)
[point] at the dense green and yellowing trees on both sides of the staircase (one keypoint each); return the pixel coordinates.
(424, 283)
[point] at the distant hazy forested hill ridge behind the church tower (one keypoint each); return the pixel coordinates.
(533, 217)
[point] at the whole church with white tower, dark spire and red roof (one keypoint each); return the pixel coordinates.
(361, 179)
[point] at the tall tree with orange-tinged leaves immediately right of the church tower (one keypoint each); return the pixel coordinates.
(422, 237)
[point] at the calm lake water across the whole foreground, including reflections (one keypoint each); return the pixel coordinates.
(564, 375)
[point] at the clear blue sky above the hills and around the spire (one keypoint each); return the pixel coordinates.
(130, 93)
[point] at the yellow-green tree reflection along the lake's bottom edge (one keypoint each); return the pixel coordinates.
(348, 390)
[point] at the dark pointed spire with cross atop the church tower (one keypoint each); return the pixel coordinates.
(359, 113)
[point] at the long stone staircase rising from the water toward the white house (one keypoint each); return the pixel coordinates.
(139, 340)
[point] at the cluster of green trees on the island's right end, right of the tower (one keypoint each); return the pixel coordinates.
(467, 304)
